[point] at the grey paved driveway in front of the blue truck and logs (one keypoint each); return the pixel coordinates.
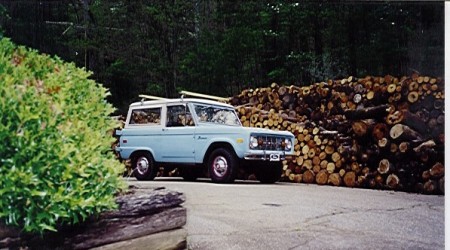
(250, 215)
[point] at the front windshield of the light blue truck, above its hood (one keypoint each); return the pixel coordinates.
(216, 114)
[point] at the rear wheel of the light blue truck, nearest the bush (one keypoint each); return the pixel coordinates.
(144, 168)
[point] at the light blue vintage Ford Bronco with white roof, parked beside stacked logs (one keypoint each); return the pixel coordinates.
(199, 135)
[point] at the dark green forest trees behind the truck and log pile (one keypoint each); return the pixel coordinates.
(220, 47)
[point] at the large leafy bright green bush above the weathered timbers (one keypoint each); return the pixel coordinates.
(56, 166)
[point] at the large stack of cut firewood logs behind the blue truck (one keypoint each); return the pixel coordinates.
(373, 132)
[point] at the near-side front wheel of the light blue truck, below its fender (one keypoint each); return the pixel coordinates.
(222, 165)
